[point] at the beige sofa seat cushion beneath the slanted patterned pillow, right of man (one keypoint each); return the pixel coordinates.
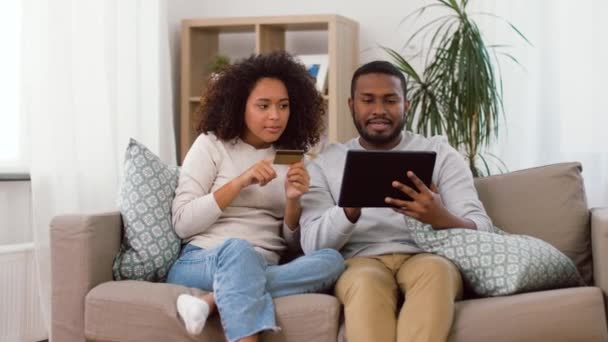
(574, 314)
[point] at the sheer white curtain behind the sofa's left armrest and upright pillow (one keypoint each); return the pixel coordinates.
(96, 72)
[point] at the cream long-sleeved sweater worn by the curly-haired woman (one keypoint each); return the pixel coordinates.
(255, 215)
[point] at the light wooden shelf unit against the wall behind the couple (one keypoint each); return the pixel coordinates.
(200, 44)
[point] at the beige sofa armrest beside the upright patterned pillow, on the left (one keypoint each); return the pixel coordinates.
(82, 252)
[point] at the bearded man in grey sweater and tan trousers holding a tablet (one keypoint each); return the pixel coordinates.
(383, 260)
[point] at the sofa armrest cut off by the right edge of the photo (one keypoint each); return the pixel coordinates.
(599, 245)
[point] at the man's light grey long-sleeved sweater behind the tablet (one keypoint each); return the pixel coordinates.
(381, 230)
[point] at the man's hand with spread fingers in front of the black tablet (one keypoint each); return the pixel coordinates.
(426, 205)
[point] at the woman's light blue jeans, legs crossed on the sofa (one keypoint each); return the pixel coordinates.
(244, 285)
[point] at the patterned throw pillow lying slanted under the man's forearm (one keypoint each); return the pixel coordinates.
(497, 264)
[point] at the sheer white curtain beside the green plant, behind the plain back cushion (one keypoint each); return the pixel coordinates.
(556, 105)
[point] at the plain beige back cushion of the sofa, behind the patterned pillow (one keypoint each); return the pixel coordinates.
(546, 202)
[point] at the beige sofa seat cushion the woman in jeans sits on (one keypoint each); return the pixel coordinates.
(143, 311)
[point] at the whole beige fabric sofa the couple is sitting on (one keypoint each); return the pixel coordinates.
(546, 202)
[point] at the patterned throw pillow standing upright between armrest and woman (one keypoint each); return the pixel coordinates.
(149, 245)
